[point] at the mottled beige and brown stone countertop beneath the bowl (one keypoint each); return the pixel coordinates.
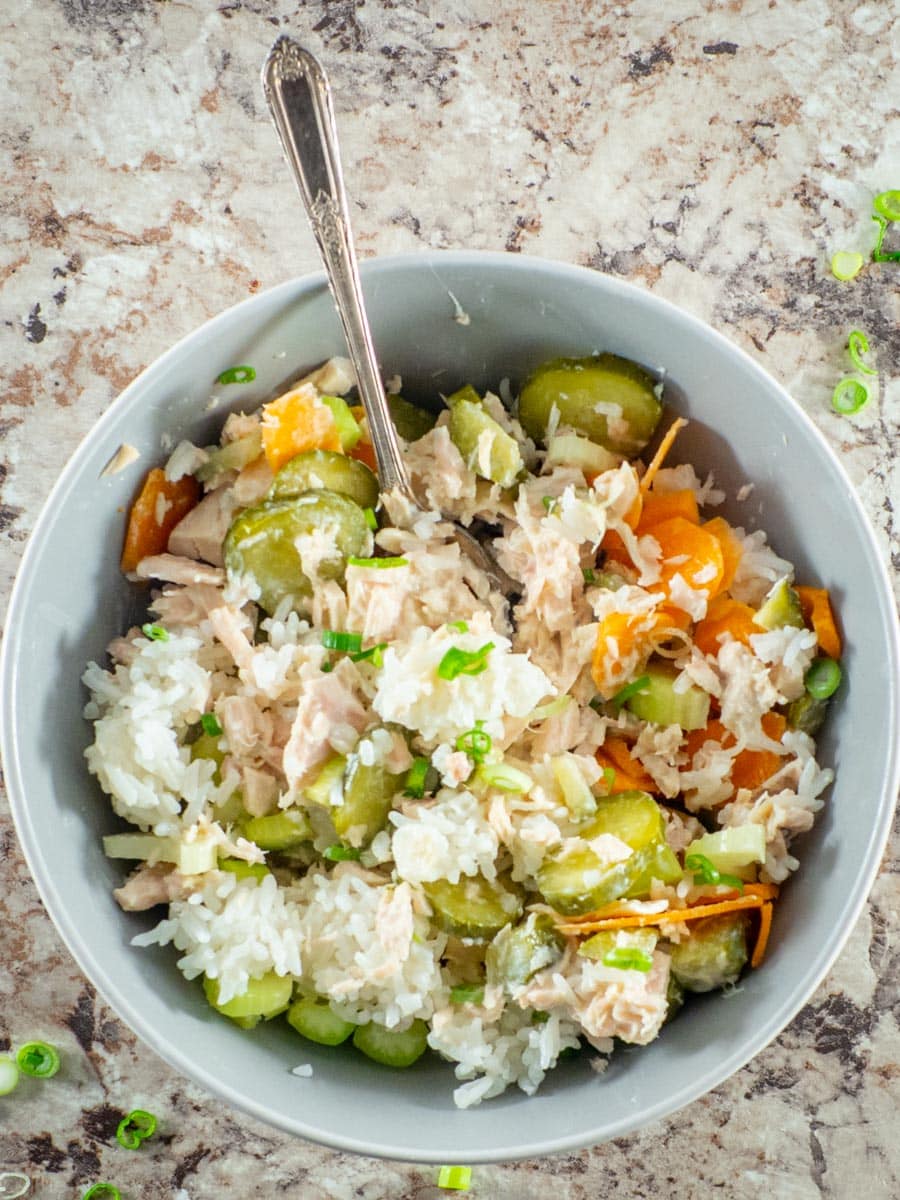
(718, 158)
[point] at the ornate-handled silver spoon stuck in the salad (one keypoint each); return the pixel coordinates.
(299, 99)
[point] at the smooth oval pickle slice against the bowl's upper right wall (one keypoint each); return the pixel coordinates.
(583, 389)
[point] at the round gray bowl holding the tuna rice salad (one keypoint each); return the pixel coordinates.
(70, 599)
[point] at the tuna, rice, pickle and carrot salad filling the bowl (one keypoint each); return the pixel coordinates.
(398, 809)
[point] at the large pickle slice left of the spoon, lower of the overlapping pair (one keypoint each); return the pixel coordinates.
(261, 543)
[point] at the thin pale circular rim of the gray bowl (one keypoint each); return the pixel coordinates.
(74, 937)
